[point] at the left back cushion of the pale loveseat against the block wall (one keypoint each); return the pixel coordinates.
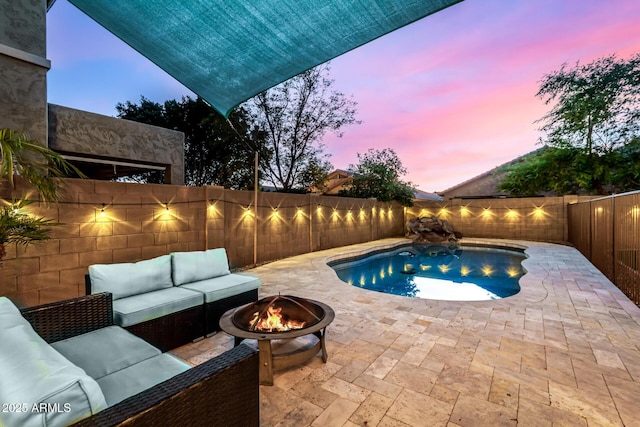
(126, 279)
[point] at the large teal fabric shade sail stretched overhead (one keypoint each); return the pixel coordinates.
(227, 51)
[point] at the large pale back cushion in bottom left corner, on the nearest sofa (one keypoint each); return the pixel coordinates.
(34, 375)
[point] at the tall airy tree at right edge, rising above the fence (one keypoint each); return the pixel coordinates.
(596, 111)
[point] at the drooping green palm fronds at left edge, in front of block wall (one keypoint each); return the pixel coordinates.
(38, 165)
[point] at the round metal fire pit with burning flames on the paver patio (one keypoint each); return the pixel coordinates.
(280, 317)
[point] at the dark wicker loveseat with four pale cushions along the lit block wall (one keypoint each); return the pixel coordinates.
(173, 299)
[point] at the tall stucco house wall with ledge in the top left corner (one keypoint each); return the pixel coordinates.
(23, 67)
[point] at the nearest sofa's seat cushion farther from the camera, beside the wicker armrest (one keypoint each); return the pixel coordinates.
(105, 350)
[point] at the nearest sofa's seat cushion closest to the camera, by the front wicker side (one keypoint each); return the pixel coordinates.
(130, 381)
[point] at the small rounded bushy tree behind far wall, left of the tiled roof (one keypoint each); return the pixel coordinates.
(377, 174)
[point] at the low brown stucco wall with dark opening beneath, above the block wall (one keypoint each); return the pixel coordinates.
(76, 131)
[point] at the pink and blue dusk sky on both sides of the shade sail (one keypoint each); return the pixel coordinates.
(453, 94)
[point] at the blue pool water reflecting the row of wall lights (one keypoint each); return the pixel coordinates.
(452, 273)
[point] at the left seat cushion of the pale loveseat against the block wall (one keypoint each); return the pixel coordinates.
(151, 305)
